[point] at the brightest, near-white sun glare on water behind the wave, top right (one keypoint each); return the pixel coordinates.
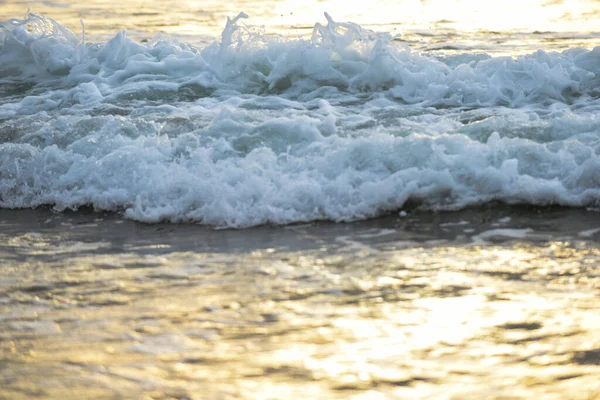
(462, 15)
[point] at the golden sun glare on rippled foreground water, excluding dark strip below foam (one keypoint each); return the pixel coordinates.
(414, 323)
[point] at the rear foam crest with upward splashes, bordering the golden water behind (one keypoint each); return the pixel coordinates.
(340, 55)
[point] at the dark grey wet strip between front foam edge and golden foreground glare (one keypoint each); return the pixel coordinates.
(546, 223)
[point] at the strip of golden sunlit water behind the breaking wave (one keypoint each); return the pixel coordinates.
(508, 27)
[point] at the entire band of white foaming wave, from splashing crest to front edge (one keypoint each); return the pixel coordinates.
(258, 129)
